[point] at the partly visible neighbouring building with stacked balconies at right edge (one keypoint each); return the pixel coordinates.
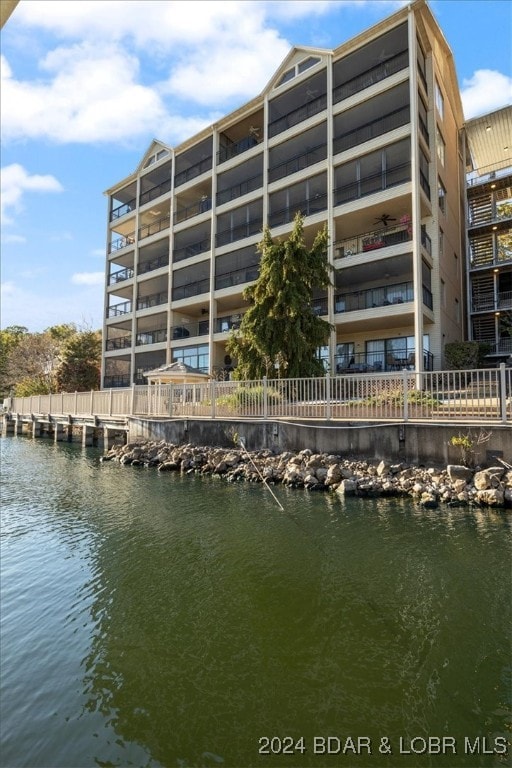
(489, 231)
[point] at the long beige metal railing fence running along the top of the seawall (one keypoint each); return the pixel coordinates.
(472, 395)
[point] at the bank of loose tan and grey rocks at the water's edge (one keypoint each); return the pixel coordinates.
(431, 487)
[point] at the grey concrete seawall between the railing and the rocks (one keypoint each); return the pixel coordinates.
(412, 443)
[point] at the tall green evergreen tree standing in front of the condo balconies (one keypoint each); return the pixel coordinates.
(280, 329)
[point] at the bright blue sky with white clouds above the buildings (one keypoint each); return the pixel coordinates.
(86, 85)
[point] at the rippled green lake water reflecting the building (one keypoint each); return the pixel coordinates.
(157, 620)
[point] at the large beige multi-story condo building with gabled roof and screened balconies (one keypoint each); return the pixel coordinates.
(365, 138)
